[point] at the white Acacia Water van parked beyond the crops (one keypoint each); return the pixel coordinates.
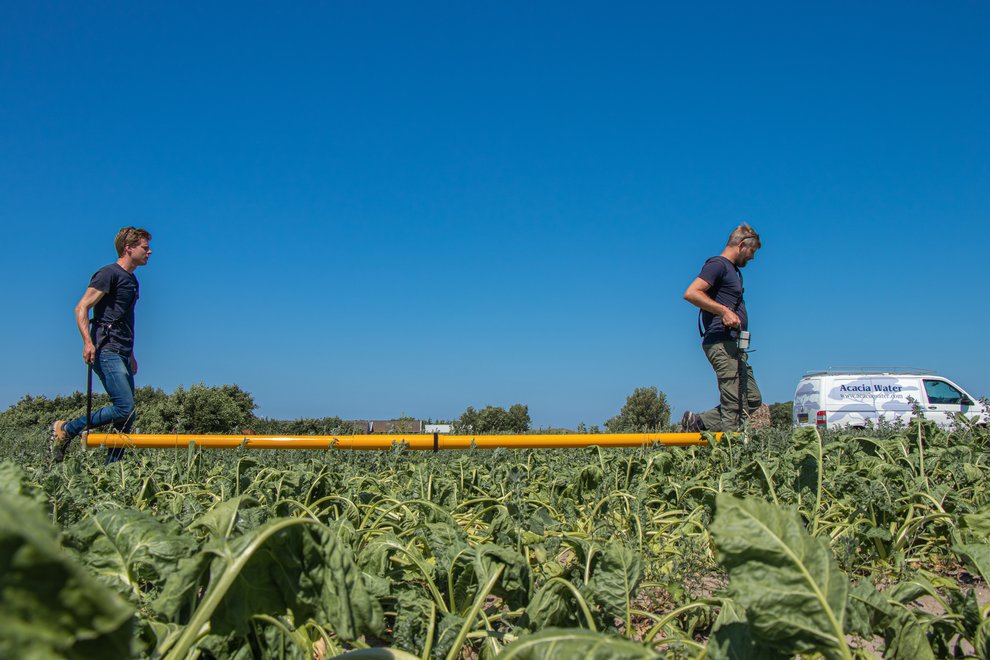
(844, 398)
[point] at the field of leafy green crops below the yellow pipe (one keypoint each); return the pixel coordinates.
(792, 544)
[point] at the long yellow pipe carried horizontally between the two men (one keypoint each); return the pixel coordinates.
(418, 441)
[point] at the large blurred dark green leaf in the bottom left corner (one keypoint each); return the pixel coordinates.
(50, 606)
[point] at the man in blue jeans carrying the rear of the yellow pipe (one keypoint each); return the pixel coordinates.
(109, 347)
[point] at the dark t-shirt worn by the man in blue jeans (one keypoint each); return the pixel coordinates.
(115, 310)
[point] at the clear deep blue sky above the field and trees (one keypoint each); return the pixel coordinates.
(374, 209)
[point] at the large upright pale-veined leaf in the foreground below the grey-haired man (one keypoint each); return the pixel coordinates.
(789, 583)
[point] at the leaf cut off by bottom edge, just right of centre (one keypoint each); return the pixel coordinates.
(554, 643)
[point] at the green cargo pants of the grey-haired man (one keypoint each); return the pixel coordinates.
(725, 357)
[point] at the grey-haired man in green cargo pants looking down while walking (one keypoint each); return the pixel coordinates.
(718, 293)
